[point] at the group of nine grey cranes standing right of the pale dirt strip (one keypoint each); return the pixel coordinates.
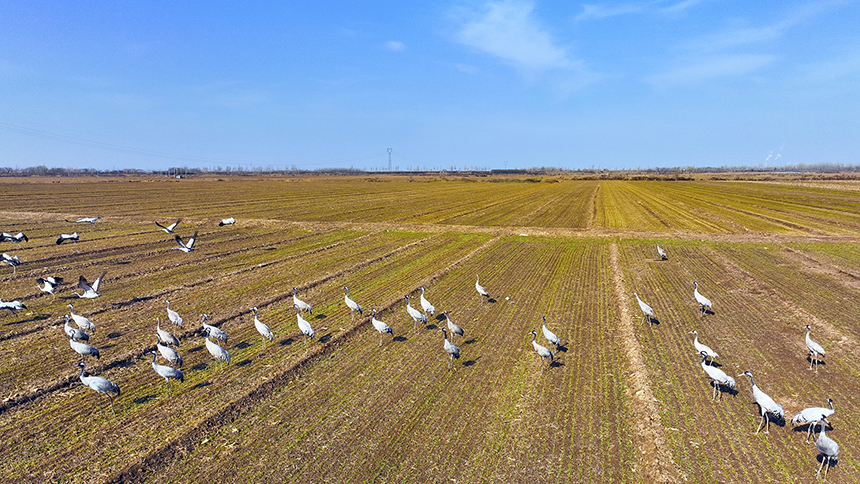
(813, 416)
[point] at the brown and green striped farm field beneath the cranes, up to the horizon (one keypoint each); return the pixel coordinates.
(623, 400)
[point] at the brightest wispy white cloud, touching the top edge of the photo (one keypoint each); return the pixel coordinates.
(507, 29)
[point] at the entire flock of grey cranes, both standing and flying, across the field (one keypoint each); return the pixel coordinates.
(167, 343)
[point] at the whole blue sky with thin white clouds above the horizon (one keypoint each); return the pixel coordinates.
(488, 84)
